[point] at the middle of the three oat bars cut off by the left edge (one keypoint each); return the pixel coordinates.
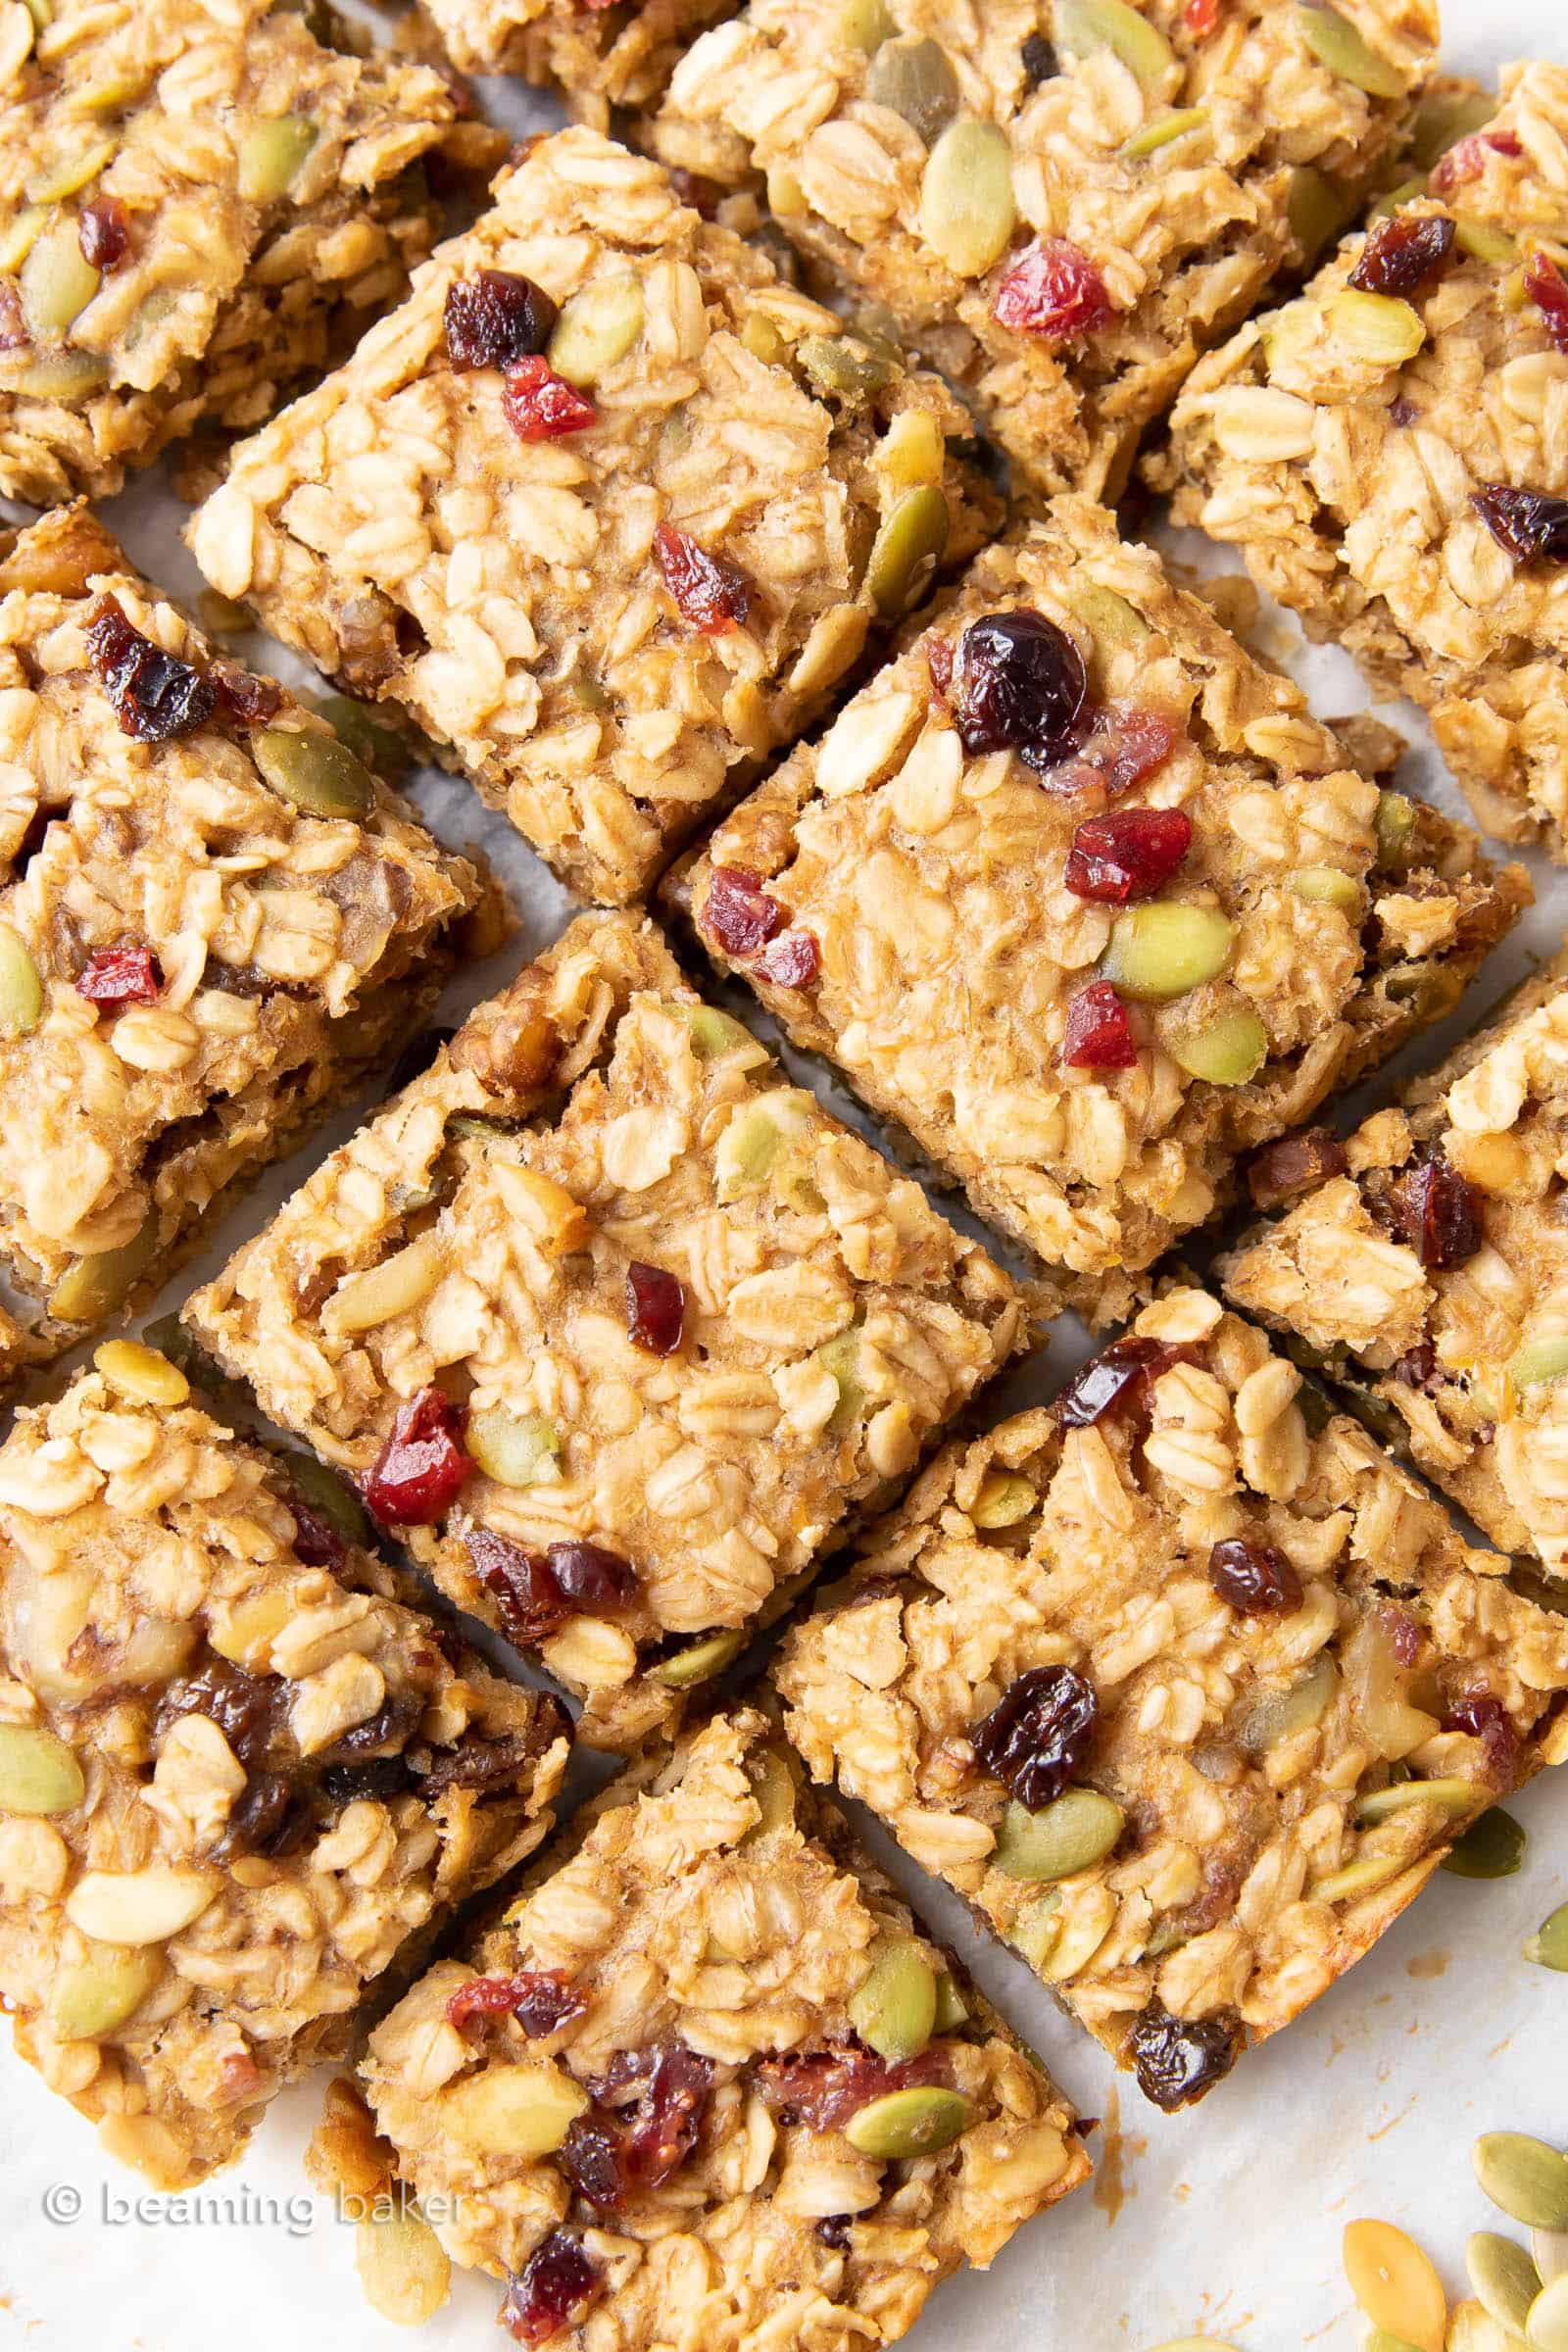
(210, 921)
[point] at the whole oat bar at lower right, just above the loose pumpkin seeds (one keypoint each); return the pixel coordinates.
(1184, 1685)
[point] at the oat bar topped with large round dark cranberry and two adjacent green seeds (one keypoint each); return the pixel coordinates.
(1085, 897)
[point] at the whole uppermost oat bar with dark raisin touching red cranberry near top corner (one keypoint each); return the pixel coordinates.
(608, 507)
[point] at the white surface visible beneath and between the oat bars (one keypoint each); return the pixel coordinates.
(1224, 2221)
